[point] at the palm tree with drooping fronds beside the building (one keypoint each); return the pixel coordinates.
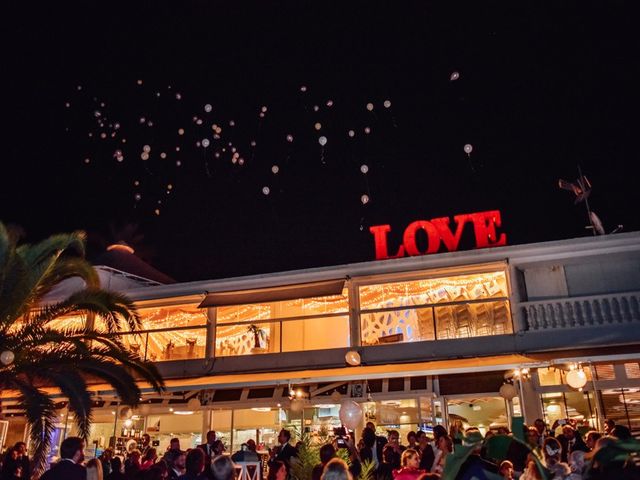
(36, 354)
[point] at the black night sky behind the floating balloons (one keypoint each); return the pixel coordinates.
(543, 86)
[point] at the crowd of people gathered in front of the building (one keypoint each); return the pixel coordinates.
(544, 453)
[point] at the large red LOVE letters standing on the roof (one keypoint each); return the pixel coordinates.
(438, 231)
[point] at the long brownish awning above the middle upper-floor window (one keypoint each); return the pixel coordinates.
(273, 294)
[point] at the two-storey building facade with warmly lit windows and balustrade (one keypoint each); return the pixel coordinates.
(415, 342)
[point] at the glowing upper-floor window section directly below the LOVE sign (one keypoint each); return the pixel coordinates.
(459, 306)
